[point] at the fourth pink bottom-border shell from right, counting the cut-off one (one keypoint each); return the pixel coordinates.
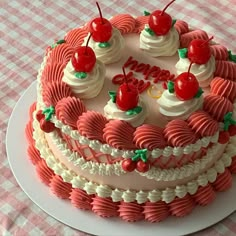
(182, 206)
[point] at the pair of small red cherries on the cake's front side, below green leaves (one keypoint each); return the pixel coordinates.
(129, 165)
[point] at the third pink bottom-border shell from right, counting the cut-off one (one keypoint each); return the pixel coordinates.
(204, 195)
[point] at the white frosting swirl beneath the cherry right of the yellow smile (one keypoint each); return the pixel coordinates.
(171, 107)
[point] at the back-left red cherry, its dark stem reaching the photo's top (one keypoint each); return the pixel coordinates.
(100, 28)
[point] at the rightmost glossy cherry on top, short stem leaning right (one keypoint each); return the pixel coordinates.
(199, 51)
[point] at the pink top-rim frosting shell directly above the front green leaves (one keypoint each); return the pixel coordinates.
(149, 136)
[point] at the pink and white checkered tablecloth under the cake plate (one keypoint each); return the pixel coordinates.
(26, 28)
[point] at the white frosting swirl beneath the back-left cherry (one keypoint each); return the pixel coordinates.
(111, 53)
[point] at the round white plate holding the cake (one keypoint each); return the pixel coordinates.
(63, 211)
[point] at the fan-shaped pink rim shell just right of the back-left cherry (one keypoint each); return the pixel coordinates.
(125, 23)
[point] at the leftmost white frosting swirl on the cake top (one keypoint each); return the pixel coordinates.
(88, 87)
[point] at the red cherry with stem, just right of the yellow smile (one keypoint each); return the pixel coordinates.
(186, 85)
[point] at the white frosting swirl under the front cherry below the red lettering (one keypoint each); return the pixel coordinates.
(111, 111)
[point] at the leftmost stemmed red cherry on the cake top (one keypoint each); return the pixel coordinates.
(84, 58)
